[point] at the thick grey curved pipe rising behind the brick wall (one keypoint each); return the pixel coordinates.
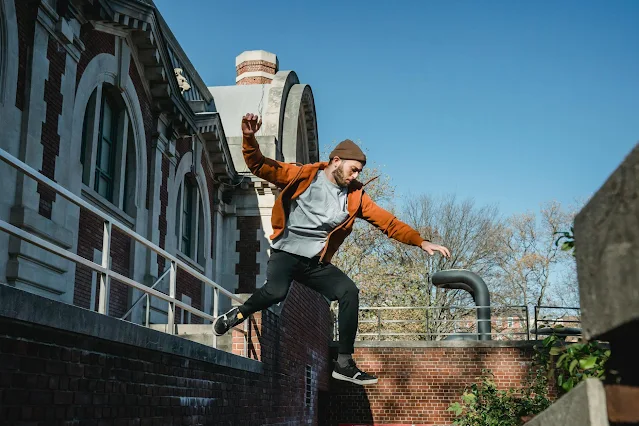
(465, 280)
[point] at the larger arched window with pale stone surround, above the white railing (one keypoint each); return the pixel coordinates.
(108, 149)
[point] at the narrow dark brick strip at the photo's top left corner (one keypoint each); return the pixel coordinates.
(26, 13)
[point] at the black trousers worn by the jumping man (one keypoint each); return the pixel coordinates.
(327, 279)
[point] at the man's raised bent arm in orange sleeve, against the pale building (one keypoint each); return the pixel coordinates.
(273, 171)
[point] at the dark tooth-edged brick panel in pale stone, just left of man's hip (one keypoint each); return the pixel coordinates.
(248, 246)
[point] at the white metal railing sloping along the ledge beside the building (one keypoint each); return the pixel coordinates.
(103, 269)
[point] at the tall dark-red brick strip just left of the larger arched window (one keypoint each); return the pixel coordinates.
(50, 137)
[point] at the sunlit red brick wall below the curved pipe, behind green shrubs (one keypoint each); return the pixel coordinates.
(416, 385)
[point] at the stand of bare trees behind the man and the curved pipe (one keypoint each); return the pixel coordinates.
(516, 257)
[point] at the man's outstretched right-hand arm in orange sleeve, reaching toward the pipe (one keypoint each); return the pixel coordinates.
(395, 228)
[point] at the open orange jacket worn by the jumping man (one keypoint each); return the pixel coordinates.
(294, 180)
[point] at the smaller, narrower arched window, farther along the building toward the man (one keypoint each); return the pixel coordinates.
(189, 224)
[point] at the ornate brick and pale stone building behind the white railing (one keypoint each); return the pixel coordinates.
(100, 97)
